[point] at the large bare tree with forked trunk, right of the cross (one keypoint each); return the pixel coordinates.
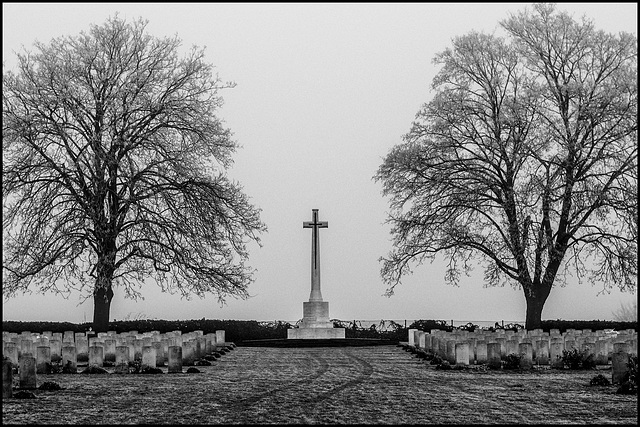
(525, 160)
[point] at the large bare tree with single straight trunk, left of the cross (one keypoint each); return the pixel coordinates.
(114, 171)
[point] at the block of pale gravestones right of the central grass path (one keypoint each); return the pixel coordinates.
(533, 347)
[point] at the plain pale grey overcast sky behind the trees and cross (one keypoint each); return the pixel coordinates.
(324, 91)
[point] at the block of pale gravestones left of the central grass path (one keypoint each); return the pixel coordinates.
(150, 350)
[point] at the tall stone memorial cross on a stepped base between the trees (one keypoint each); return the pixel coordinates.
(315, 321)
